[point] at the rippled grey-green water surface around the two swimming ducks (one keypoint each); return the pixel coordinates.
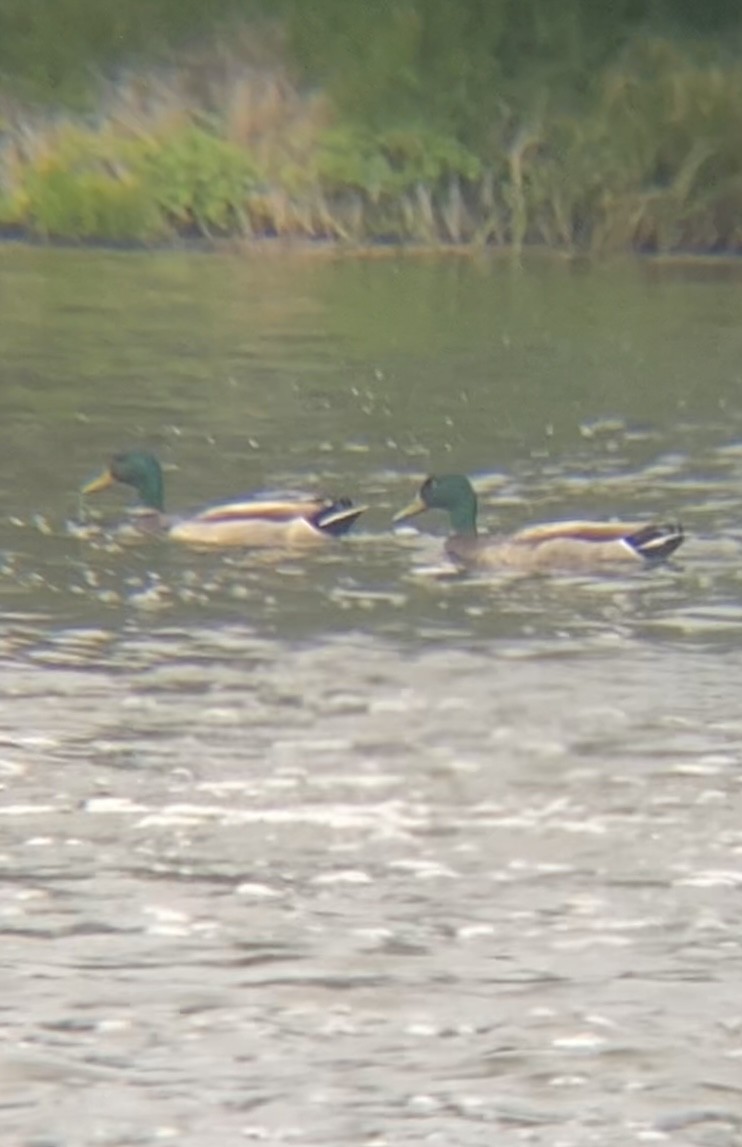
(324, 849)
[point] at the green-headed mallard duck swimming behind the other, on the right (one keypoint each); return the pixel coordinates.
(554, 545)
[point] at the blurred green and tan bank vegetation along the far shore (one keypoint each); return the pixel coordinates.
(577, 126)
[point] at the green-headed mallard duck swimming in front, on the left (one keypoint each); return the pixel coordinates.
(255, 520)
